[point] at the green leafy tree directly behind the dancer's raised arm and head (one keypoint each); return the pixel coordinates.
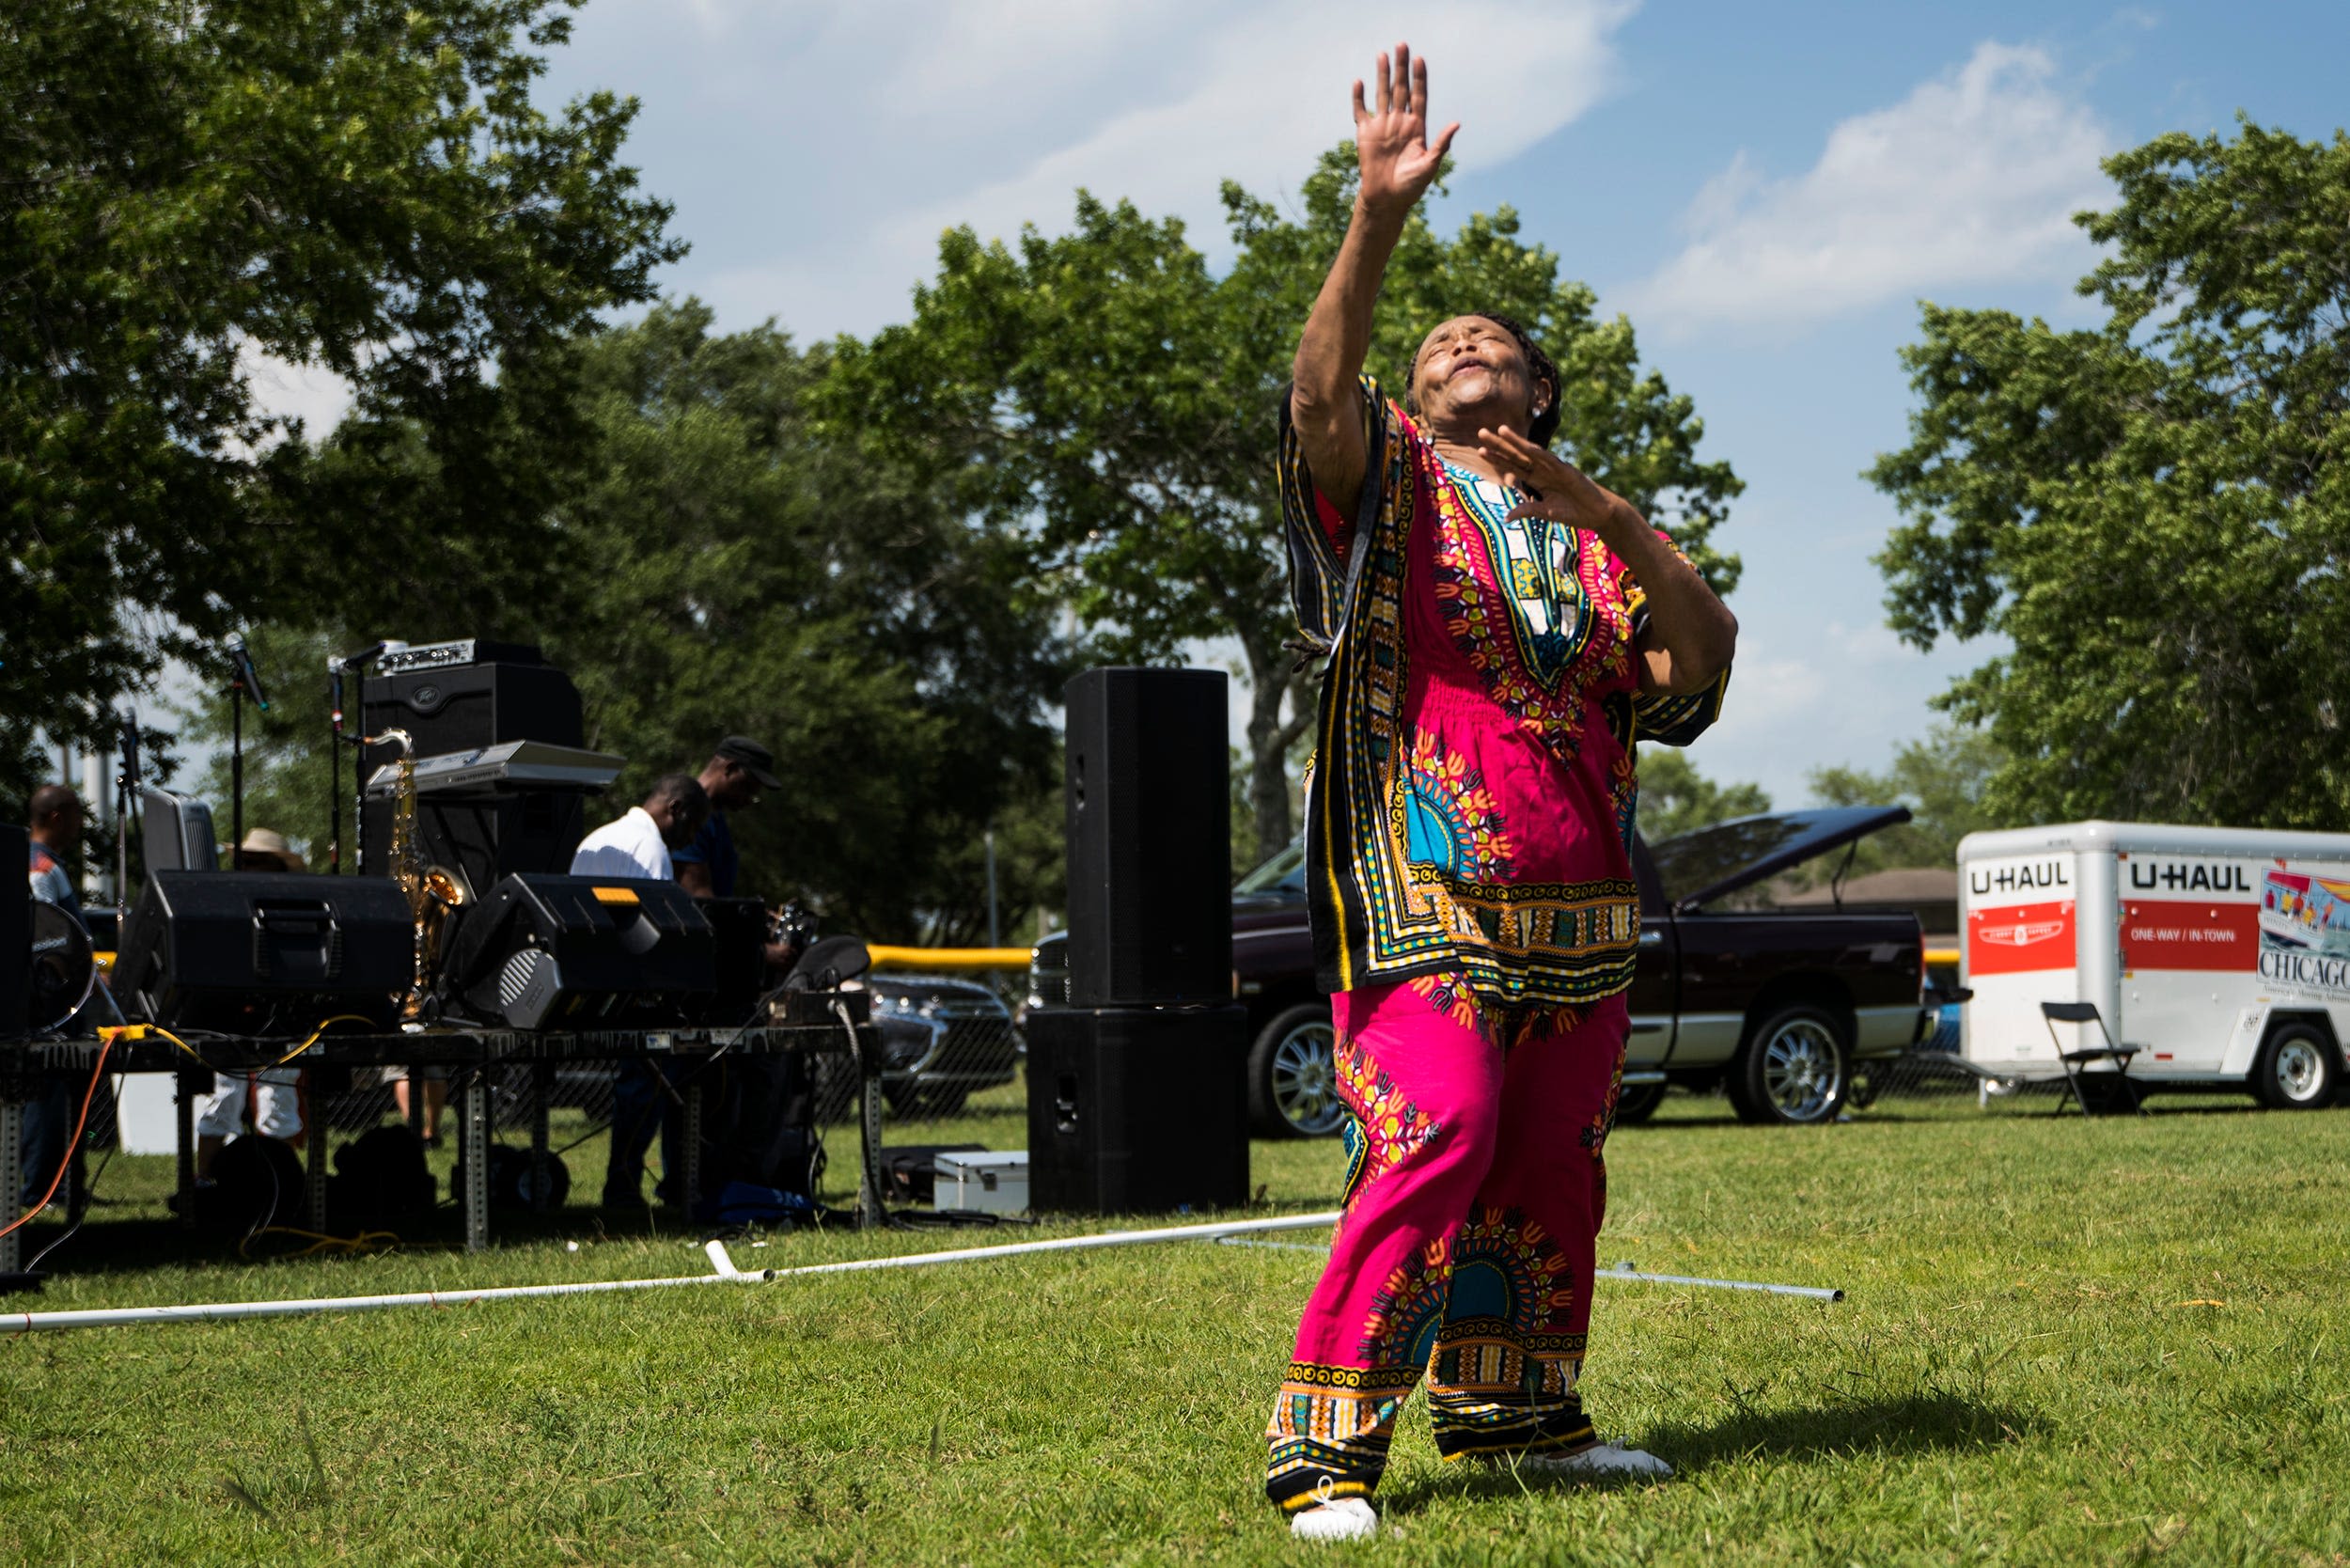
(1115, 398)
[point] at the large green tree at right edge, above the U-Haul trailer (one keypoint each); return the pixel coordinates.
(2156, 511)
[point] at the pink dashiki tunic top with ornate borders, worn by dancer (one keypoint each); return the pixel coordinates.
(1472, 789)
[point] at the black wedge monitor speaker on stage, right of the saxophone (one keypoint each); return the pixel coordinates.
(577, 953)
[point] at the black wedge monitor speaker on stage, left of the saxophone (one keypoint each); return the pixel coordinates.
(264, 953)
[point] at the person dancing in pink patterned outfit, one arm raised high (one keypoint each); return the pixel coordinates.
(1500, 634)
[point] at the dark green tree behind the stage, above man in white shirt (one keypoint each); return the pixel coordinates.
(730, 572)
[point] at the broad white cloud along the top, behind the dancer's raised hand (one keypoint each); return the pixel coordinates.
(817, 152)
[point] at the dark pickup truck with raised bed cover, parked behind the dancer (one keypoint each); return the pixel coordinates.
(1778, 1007)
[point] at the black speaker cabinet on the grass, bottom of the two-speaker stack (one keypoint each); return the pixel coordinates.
(1139, 1111)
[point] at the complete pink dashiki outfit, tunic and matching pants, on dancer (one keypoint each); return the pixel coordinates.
(1475, 916)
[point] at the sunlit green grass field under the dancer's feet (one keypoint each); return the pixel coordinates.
(2064, 1341)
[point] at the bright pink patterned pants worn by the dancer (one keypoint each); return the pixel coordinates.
(1475, 1198)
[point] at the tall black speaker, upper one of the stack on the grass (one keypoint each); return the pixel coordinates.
(1150, 838)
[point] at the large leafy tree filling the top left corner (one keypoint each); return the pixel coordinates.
(351, 185)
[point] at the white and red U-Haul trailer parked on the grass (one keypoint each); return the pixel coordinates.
(2222, 953)
